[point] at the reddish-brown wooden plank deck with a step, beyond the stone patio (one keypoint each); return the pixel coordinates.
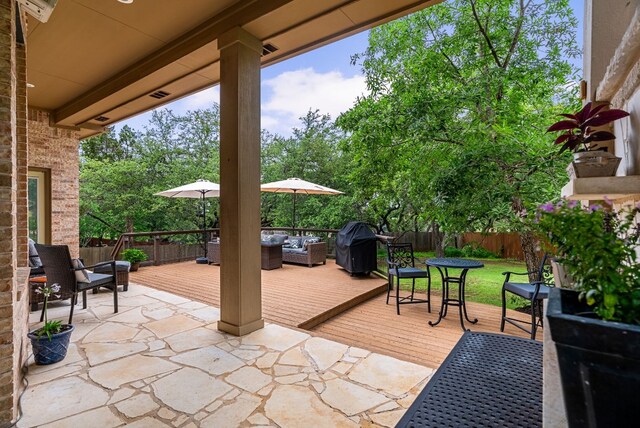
(332, 304)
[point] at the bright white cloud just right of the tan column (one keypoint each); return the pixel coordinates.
(294, 93)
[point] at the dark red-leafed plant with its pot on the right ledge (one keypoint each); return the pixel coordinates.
(579, 134)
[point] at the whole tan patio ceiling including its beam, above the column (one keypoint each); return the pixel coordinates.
(96, 62)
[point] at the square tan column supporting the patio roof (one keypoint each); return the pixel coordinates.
(240, 288)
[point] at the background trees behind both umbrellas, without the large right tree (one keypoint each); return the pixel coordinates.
(120, 172)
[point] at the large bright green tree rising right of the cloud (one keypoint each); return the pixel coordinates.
(454, 126)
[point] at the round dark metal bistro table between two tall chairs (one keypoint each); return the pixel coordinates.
(452, 263)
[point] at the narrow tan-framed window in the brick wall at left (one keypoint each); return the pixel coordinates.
(39, 209)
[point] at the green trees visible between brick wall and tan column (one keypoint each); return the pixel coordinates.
(120, 172)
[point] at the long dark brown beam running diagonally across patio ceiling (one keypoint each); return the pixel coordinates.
(236, 15)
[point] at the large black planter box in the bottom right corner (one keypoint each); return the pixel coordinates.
(599, 364)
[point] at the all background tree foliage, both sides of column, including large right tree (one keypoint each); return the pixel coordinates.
(451, 135)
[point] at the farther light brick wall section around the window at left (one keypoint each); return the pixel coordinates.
(56, 150)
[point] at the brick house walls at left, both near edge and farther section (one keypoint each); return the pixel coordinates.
(26, 142)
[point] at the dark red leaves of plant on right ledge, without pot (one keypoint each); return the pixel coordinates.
(579, 134)
